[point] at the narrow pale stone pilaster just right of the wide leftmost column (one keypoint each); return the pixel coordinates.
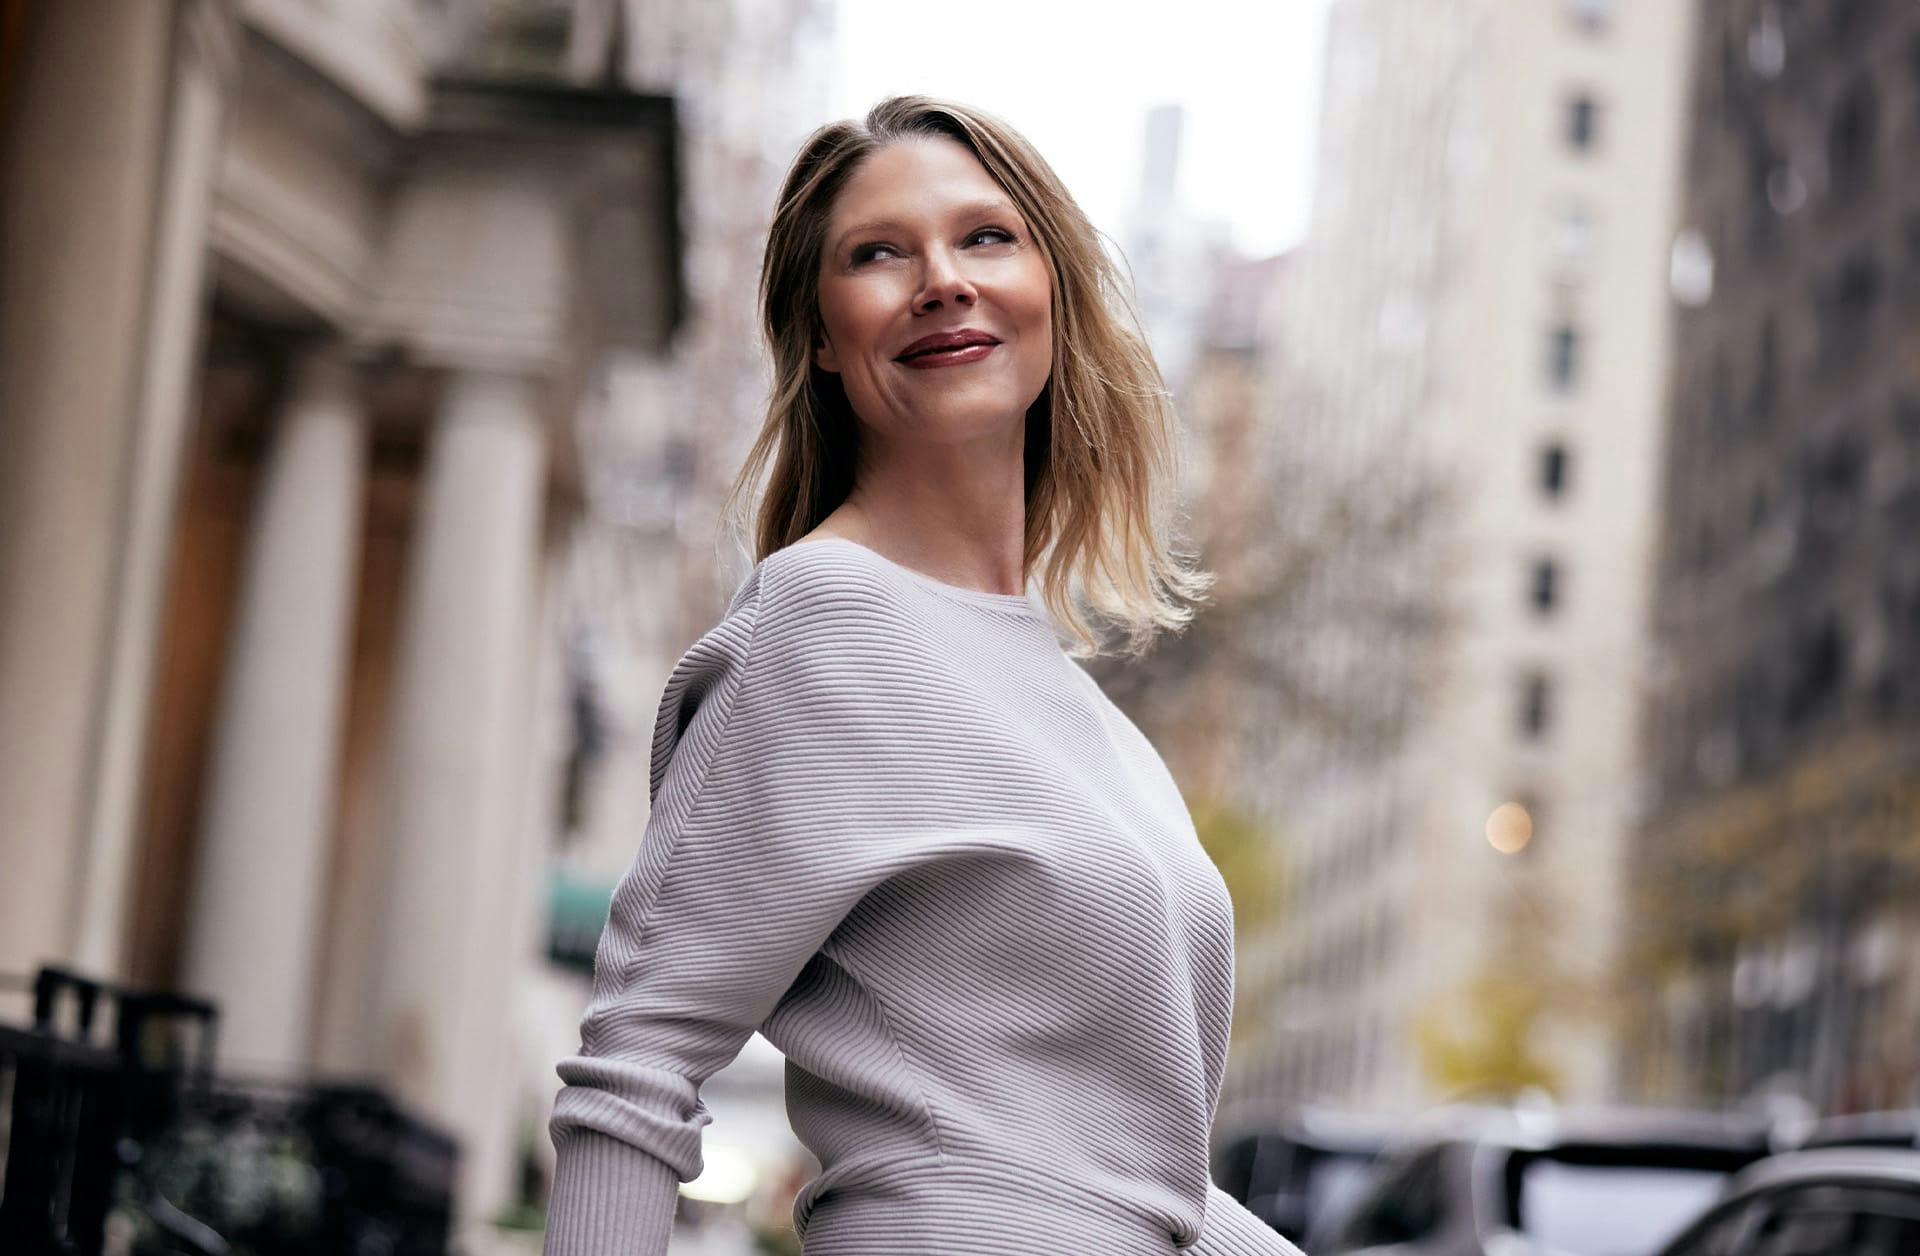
(162, 410)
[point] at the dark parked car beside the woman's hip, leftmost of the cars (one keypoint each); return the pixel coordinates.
(1303, 1171)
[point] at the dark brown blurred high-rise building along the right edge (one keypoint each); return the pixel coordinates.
(1781, 863)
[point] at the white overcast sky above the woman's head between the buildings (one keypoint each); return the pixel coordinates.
(1080, 78)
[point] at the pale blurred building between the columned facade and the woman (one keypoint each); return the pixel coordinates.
(650, 566)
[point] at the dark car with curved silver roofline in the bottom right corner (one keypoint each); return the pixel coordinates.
(1838, 1201)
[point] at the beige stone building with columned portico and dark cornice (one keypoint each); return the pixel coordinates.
(302, 308)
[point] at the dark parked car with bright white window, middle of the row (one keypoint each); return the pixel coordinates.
(1543, 1184)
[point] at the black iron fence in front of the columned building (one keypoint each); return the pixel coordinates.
(135, 1136)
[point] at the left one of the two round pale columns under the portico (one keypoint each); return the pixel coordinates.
(260, 879)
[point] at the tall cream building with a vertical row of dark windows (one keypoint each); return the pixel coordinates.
(1476, 322)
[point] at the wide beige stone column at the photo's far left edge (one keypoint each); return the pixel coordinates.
(78, 203)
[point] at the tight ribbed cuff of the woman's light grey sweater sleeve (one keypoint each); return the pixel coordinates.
(610, 1197)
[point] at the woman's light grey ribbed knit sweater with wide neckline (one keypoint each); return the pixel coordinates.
(905, 836)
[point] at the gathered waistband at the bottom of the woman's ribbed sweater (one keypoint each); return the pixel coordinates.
(961, 1207)
